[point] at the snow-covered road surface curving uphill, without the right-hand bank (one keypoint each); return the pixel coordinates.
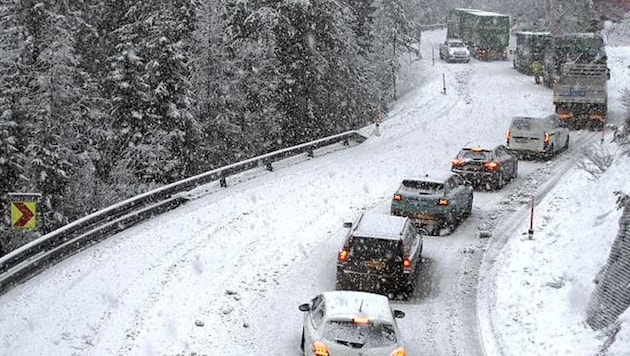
(241, 259)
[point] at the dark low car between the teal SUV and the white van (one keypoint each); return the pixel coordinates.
(487, 168)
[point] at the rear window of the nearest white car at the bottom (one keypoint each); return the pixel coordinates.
(346, 332)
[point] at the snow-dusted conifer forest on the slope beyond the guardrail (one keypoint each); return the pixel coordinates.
(102, 100)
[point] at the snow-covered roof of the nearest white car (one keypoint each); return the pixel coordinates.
(350, 304)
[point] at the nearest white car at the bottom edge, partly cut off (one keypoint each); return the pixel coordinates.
(351, 323)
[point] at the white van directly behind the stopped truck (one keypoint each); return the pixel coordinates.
(537, 136)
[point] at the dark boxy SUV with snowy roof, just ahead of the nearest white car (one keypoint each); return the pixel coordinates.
(381, 253)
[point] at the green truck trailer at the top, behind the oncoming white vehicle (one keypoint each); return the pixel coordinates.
(487, 34)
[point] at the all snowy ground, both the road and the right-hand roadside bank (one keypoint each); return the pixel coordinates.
(241, 259)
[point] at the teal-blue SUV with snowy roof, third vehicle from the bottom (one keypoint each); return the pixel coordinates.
(437, 200)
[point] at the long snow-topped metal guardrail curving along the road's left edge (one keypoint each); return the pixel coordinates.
(32, 258)
